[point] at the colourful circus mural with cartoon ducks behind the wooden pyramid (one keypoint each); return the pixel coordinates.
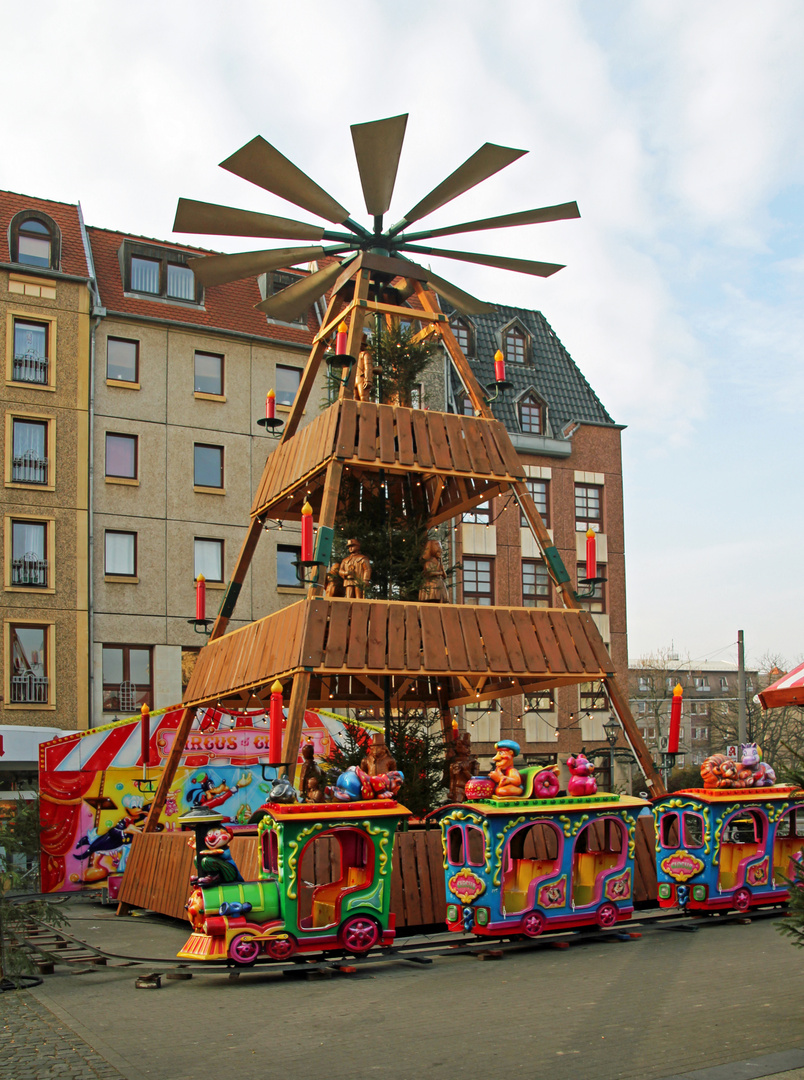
(96, 788)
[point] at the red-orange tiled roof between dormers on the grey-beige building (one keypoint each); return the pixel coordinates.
(225, 307)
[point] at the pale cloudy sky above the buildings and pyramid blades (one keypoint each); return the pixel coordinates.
(676, 125)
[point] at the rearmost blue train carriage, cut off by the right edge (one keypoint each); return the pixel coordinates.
(728, 848)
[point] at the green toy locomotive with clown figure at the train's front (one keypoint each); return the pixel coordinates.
(346, 848)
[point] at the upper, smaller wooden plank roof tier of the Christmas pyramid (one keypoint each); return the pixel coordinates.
(460, 461)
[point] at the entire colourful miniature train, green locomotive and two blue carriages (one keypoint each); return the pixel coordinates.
(520, 858)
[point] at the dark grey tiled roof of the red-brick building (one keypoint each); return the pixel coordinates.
(552, 372)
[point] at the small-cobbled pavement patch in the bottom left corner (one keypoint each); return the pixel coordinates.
(35, 1045)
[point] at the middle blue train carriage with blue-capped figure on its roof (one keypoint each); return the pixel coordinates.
(517, 865)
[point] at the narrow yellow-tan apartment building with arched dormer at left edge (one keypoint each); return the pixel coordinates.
(45, 335)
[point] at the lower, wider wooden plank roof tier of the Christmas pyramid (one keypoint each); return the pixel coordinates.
(430, 651)
